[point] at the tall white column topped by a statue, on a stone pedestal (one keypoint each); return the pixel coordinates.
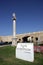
(14, 39)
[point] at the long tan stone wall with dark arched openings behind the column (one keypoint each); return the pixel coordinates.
(39, 35)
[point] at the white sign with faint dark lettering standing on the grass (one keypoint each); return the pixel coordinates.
(25, 51)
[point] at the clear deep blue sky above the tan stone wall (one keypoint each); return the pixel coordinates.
(29, 16)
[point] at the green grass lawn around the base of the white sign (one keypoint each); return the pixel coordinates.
(7, 57)
